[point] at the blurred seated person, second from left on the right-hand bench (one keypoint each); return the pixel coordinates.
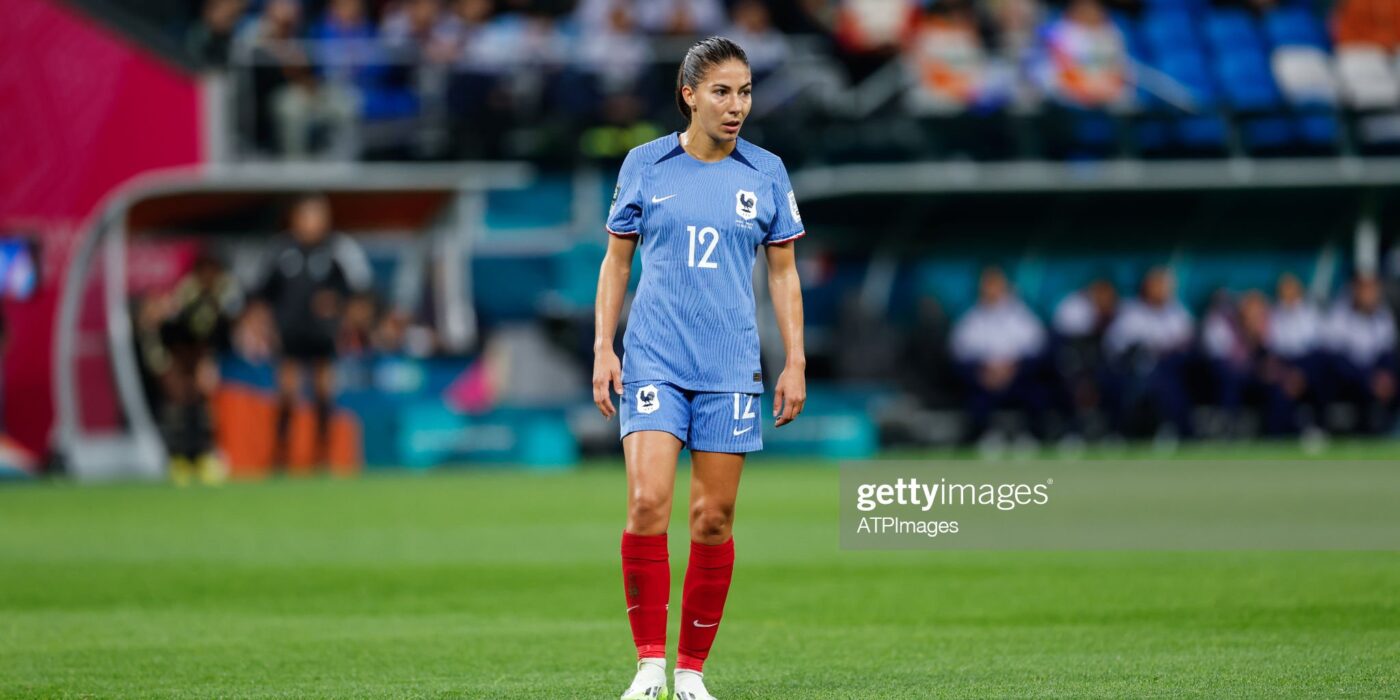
(1080, 323)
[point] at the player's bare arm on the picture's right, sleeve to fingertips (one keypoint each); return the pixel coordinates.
(790, 394)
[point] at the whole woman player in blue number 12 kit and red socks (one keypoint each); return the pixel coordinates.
(699, 204)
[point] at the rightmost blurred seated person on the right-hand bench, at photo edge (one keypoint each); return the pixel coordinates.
(1361, 334)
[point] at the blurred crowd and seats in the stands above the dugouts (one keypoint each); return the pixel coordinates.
(898, 79)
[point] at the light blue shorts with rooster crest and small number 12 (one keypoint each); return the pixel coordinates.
(708, 422)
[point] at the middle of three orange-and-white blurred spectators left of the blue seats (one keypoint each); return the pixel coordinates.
(948, 61)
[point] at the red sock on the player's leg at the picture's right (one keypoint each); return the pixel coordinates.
(708, 586)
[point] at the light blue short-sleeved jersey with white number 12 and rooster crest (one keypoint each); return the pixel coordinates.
(701, 226)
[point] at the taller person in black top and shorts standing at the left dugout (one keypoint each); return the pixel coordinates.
(309, 279)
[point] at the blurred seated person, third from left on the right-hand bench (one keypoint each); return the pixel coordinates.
(1149, 345)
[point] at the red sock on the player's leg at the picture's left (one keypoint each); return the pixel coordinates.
(646, 577)
